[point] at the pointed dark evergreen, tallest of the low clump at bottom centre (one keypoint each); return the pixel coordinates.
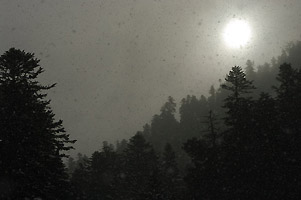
(140, 175)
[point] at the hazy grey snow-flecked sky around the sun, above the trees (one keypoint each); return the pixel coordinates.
(117, 61)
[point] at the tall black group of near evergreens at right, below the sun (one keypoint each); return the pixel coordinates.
(259, 154)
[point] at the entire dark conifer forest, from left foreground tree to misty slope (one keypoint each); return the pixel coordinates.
(242, 141)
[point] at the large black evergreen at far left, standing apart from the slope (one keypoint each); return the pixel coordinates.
(31, 140)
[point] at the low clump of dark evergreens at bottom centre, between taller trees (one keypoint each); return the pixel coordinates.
(136, 173)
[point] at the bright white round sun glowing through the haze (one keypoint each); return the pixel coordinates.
(237, 33)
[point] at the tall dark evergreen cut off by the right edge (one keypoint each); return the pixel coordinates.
(288, 105)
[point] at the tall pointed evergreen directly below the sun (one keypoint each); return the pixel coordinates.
(238, 138)
